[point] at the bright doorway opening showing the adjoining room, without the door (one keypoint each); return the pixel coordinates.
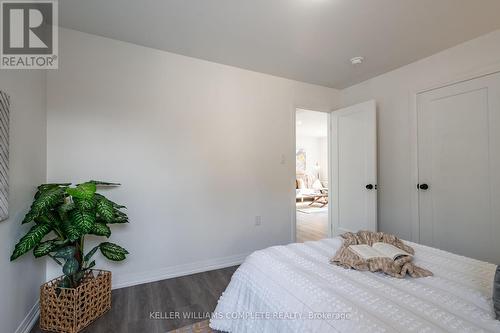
(312, 175)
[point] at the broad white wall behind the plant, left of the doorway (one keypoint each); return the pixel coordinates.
(196, 145)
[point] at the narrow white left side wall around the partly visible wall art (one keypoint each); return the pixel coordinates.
(20, 280)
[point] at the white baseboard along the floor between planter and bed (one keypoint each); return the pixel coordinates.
(128, 280)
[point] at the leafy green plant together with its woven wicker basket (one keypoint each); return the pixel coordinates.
(63, 215)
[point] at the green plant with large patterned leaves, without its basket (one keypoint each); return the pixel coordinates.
(69, 213)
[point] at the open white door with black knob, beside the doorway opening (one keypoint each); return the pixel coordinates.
(354, 168)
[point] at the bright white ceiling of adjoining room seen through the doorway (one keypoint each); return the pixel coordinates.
(311, 124)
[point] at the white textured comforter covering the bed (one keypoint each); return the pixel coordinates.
(293, 288)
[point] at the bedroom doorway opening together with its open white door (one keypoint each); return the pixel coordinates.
(336, 171)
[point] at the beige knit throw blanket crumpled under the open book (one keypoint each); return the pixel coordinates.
(396, 268)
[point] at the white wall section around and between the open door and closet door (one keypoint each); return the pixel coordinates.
(393, 92)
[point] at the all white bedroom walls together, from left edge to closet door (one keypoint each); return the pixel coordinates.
(197, 146)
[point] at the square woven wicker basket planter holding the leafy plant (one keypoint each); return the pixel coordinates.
(69, 310)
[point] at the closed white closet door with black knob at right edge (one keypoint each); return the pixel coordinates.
(459, 168)
